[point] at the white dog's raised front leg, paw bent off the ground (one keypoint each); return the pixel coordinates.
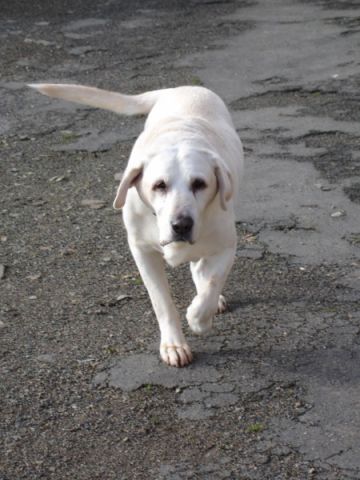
(209, 275)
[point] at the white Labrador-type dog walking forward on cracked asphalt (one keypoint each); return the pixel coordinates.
(185, 167)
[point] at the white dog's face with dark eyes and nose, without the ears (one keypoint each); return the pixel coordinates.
(178, 186)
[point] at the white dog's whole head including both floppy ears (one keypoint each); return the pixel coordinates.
(178, 184)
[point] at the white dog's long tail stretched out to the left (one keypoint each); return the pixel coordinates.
(95, 97)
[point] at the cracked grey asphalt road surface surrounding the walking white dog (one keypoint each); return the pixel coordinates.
(274, 391)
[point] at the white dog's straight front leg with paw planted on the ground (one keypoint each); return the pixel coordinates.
(173, 348)
